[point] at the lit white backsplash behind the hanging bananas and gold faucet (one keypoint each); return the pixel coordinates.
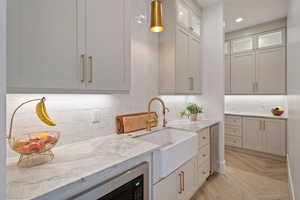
(82, 117)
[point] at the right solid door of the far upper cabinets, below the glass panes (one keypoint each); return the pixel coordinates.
(271, 71)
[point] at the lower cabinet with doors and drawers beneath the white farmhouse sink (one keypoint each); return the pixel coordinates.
(186, 180)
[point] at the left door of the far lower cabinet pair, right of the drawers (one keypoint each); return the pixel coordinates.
(252, 135)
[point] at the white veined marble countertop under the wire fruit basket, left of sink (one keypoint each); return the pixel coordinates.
(72, 164)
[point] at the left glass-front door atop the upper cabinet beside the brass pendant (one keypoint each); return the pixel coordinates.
(183, 14)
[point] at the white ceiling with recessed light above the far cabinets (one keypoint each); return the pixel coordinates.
(252, 11)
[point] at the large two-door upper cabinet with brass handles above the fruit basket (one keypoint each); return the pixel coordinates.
(68, 46)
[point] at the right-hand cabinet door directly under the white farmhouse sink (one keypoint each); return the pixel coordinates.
(188, 172)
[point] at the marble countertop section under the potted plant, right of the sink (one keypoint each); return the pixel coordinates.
(194, 126)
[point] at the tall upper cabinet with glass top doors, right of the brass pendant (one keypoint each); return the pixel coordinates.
(180, 49)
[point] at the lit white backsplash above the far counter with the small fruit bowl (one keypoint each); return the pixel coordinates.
(255, 104)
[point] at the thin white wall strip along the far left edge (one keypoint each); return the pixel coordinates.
(2, 96)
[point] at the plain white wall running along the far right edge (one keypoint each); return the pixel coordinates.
(294, 94)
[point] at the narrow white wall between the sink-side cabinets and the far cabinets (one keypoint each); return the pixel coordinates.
(213, 68)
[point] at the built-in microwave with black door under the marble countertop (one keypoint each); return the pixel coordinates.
(131, 185)
